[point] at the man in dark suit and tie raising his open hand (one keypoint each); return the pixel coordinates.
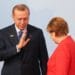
(25, 55)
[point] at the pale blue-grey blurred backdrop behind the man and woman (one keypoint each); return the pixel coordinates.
(41, 12)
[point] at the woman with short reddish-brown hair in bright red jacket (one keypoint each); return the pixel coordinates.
(62, 61)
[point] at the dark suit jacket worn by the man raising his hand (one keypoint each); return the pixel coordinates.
(31, 57)
